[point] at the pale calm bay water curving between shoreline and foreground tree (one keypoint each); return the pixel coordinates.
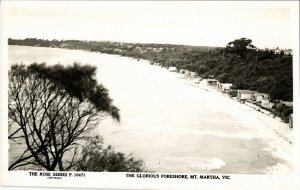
(172, 126)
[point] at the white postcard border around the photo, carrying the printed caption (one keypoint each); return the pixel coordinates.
(119, 180)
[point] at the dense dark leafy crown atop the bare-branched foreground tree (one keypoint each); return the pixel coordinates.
(79, 82)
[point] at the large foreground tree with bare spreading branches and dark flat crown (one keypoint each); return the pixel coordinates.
(51, 109)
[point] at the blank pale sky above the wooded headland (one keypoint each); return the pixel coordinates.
(268, 24)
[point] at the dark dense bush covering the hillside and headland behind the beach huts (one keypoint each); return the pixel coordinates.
(239, 62)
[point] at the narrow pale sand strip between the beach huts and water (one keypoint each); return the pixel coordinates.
(271, 124)
